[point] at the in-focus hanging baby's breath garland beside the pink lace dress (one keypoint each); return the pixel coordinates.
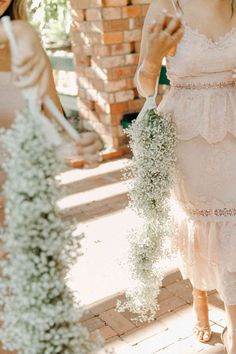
(152, 140)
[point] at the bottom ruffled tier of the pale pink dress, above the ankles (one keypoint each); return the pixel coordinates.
(206, 251)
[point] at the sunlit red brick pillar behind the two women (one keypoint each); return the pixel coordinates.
(106, 38)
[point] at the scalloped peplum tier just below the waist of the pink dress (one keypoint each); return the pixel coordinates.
(210, 114)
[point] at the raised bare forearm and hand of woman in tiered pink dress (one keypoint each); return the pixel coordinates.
(156, 43)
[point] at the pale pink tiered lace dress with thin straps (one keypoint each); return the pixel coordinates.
(202, 100)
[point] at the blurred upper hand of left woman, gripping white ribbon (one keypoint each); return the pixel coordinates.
(30, 66)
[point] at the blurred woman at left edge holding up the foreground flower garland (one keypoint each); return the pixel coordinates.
(33, 67)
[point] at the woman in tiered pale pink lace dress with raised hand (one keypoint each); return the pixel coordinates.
(200, 48)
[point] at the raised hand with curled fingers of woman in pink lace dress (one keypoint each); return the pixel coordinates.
(163, 35)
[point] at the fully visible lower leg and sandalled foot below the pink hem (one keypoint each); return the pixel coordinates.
(200, 304)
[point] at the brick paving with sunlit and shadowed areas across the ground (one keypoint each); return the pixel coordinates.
(98, 200)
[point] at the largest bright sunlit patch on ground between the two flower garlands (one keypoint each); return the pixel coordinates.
(102, 270)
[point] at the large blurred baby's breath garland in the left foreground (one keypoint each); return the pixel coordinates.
(39, 313)
